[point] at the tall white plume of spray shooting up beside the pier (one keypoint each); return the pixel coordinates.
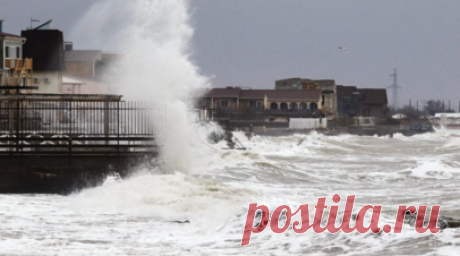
(154, 37)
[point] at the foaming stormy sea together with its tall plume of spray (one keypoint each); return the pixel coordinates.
(194, 200)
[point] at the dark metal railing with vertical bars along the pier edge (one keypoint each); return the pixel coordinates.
(77, 127)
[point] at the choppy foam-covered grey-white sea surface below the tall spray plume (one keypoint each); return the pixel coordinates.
(136, 216)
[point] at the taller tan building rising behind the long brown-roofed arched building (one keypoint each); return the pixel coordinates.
(327, 87)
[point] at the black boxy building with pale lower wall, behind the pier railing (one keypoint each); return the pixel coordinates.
(46, 47)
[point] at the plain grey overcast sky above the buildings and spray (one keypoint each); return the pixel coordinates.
(252, 43)
